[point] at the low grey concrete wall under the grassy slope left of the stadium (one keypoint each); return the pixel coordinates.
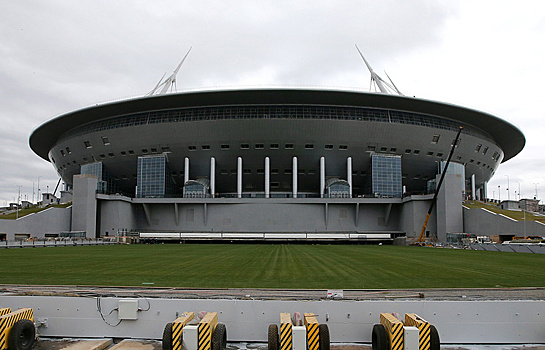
(49, 221)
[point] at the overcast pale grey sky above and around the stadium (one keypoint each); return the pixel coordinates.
(58, 56)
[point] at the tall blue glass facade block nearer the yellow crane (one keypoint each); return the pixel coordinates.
(386, 175)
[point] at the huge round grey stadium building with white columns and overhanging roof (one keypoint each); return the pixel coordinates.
(272, 164)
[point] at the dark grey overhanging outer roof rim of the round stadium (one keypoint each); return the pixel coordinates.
(507, 136)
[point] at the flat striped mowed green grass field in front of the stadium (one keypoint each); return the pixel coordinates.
(271, 266)
